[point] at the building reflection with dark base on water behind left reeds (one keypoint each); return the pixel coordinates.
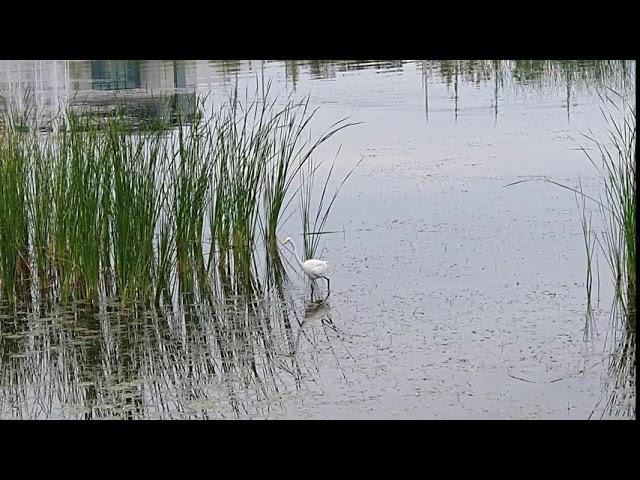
(146, 93)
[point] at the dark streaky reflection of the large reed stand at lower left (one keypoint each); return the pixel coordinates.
(208, 361)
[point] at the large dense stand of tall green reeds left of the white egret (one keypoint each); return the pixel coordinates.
(102, 207)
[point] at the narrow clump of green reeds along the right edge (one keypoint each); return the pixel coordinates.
(617, 169)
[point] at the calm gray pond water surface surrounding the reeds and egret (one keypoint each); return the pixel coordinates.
(452, 296)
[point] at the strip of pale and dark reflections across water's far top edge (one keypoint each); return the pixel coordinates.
(100, 83)
